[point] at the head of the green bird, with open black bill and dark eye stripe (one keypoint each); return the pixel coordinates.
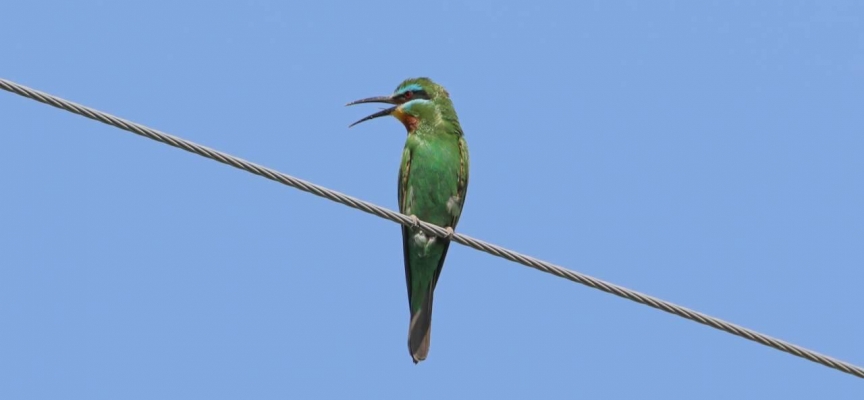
(416, 101)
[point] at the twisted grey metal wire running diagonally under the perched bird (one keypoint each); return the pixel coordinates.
(432, 229)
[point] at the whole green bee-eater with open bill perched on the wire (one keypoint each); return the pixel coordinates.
(433, 183)
